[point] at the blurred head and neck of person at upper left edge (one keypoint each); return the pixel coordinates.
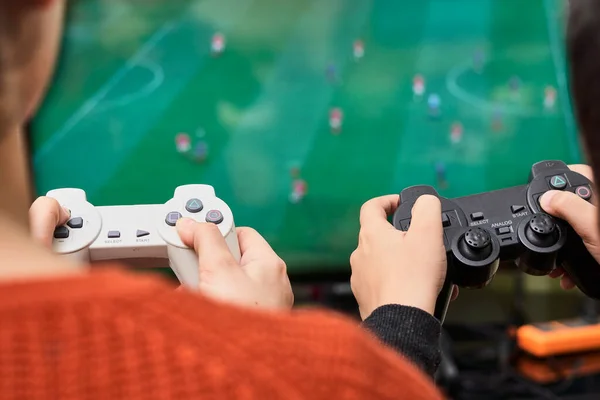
(30, 32)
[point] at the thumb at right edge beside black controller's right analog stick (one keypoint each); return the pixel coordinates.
(580, 214)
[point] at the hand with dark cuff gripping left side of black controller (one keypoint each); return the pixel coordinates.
(394, 267)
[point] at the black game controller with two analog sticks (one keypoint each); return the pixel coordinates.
(509, 225)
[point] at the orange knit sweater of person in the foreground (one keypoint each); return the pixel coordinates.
(112, 335)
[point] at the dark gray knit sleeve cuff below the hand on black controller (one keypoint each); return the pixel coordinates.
(412, 332)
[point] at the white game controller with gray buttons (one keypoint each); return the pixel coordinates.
(141, 231)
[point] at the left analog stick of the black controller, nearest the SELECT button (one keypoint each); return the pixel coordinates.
(476, 253)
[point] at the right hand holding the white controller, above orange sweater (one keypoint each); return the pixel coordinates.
(258, 280)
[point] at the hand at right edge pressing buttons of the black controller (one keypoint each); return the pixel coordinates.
(580, 214)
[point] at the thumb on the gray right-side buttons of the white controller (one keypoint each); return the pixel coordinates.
(208, 242)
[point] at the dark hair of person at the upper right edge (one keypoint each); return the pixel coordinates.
(583, 52)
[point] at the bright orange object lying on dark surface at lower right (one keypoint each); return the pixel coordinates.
(559, 337)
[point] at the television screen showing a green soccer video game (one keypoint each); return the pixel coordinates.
(299, 111)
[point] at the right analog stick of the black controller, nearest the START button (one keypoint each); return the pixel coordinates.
(542, 237)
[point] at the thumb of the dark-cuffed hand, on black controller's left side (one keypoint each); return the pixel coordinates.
(426, 217)
